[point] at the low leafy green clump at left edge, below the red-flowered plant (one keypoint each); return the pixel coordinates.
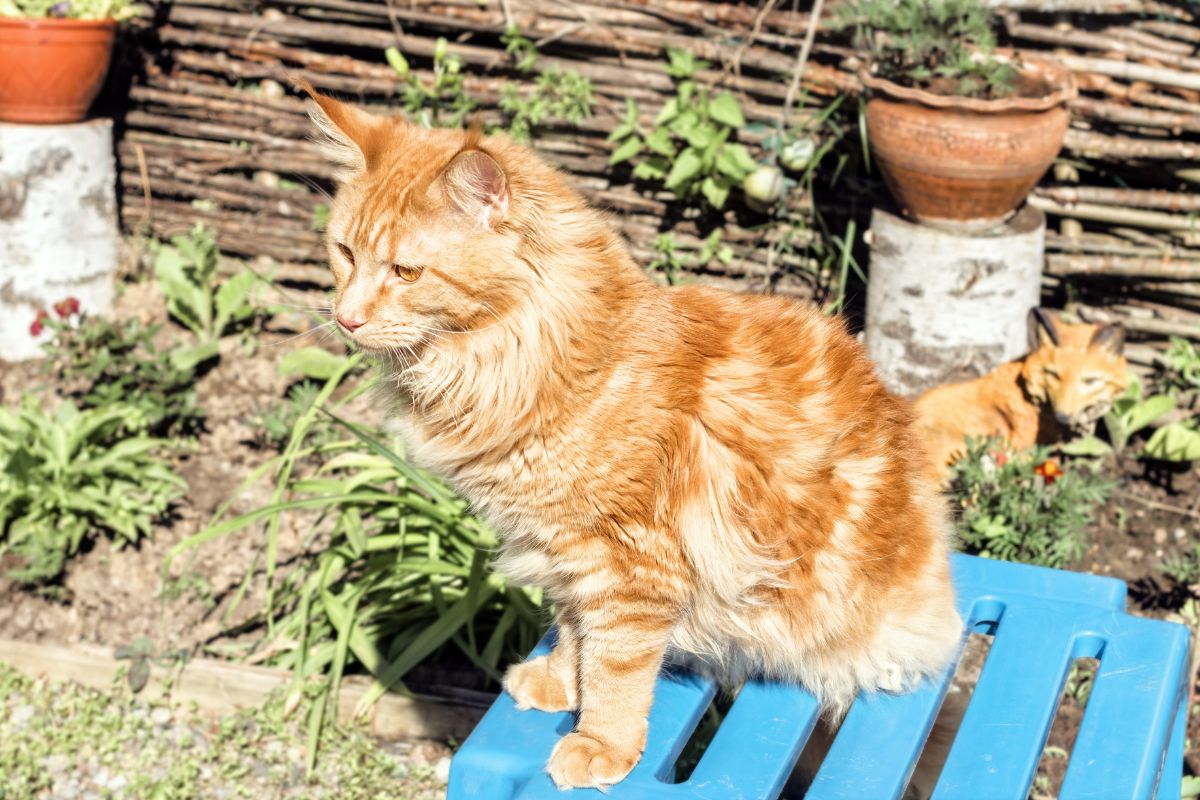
(73, 474)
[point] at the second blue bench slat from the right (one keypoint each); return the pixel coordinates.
(997, 750)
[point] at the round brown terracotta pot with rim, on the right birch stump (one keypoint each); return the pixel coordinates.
(967, 163)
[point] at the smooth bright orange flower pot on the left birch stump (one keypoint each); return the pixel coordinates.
(51, 70)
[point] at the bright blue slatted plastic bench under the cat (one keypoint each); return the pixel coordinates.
(1130, 745)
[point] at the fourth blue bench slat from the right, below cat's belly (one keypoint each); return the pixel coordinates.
(758, 744)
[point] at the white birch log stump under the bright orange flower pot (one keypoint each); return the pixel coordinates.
(58, 226)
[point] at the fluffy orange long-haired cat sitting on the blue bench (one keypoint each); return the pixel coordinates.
(685, 471)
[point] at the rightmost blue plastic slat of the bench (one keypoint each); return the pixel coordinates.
(1131, 711)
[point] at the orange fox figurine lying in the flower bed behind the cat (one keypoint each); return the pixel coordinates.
(1061, 388)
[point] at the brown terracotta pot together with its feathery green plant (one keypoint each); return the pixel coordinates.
(962, 133)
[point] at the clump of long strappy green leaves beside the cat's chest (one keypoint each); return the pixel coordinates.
(405, 570)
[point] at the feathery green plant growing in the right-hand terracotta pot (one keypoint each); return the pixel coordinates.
(947, 46)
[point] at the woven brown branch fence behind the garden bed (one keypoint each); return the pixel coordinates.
(215, 134)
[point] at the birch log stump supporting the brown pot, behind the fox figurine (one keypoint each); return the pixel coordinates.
(945, 306)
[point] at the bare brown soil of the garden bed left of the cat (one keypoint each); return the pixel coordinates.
(112, 596)
